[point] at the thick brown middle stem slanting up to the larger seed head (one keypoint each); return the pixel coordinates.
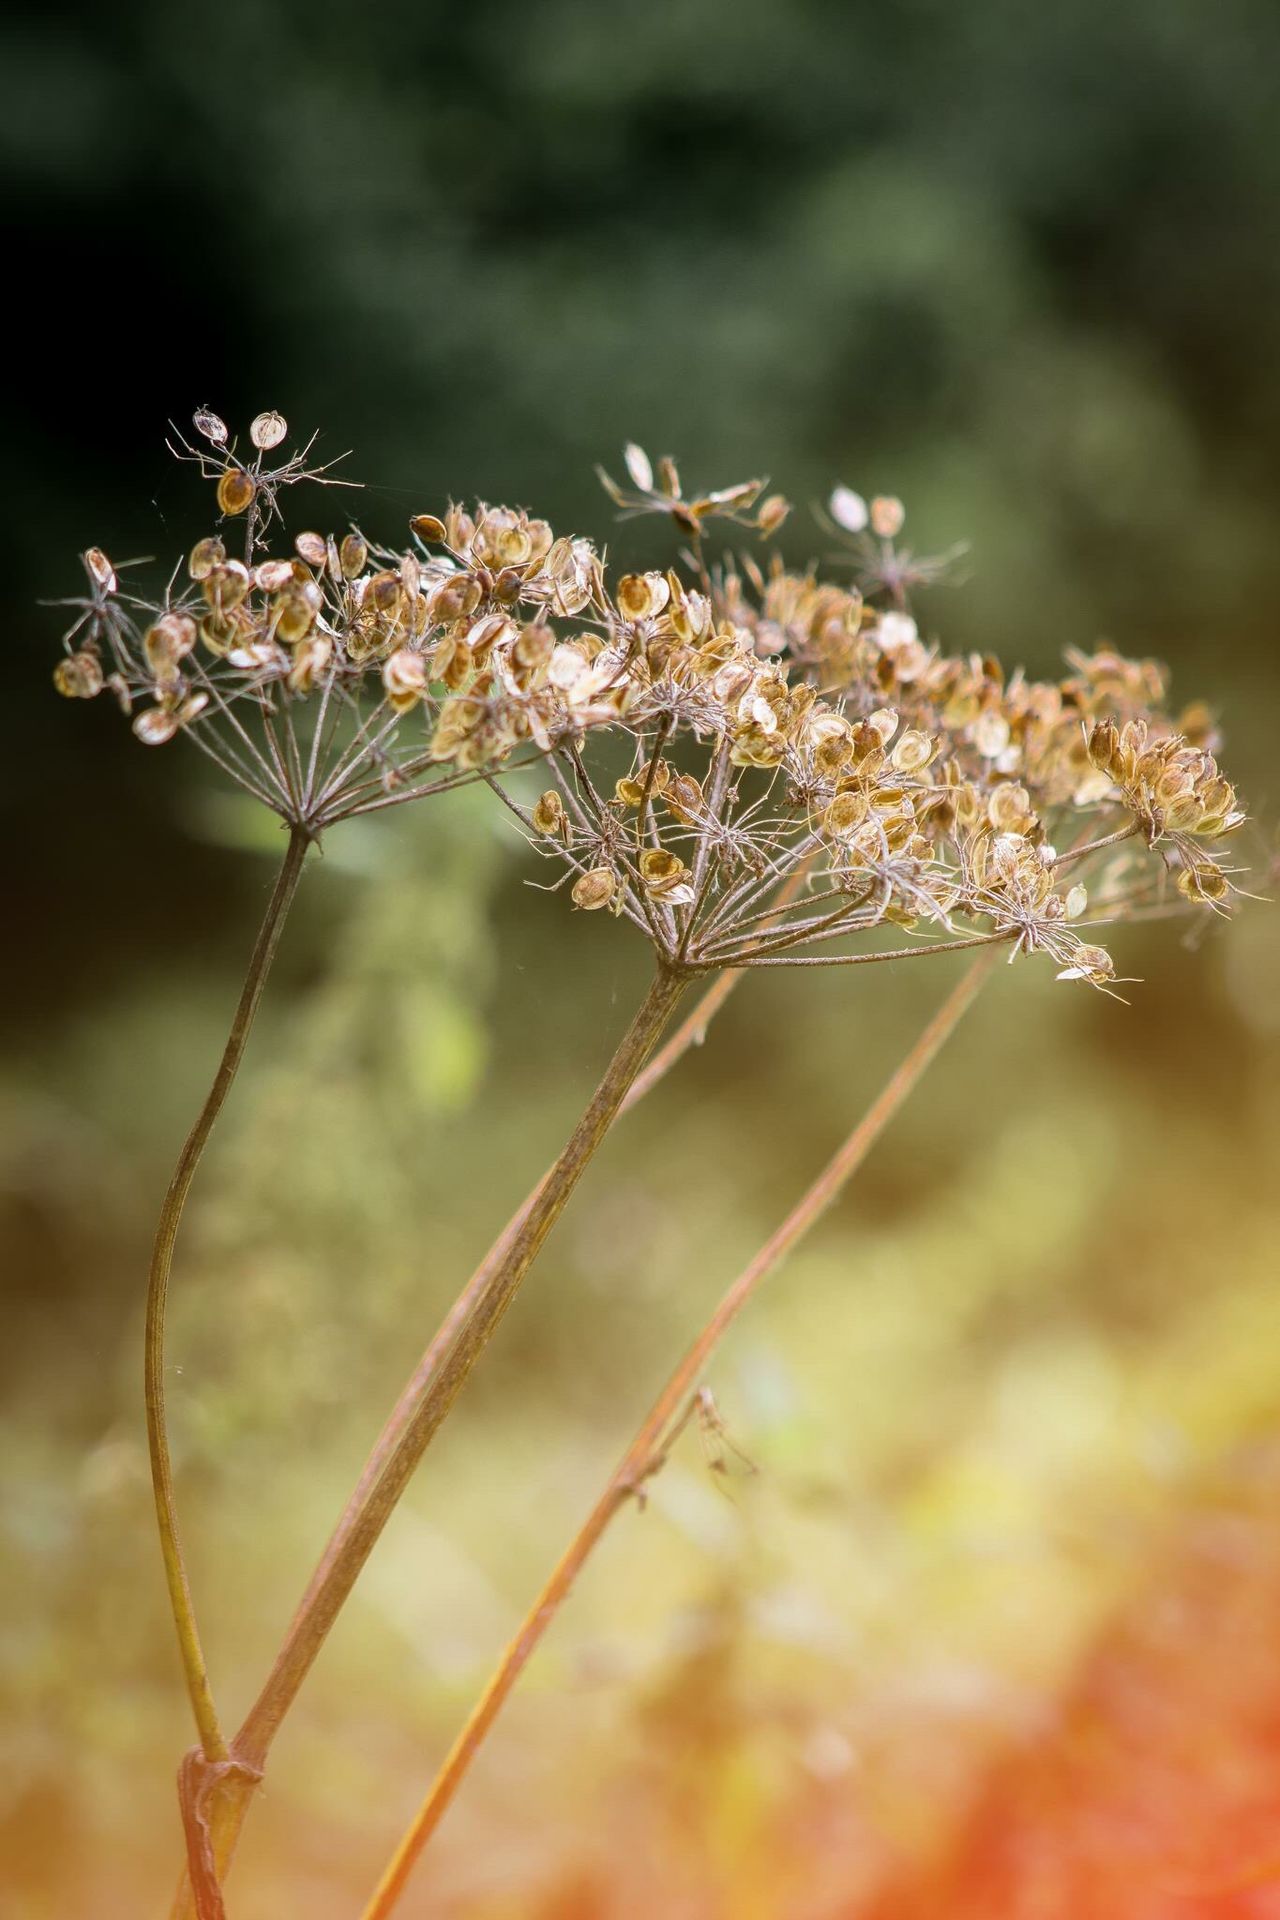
(423, 1406)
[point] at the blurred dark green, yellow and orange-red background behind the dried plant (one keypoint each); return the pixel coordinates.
(993, 1629)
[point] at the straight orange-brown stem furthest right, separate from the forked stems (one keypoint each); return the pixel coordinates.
(650, 1447)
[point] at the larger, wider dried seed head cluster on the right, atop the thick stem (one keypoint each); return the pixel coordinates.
(803, 775)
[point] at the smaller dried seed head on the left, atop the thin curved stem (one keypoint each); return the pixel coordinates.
(329, 677)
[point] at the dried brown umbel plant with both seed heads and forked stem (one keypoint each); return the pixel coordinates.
(751, 765)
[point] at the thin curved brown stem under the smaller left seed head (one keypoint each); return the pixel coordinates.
(158, 1295)
